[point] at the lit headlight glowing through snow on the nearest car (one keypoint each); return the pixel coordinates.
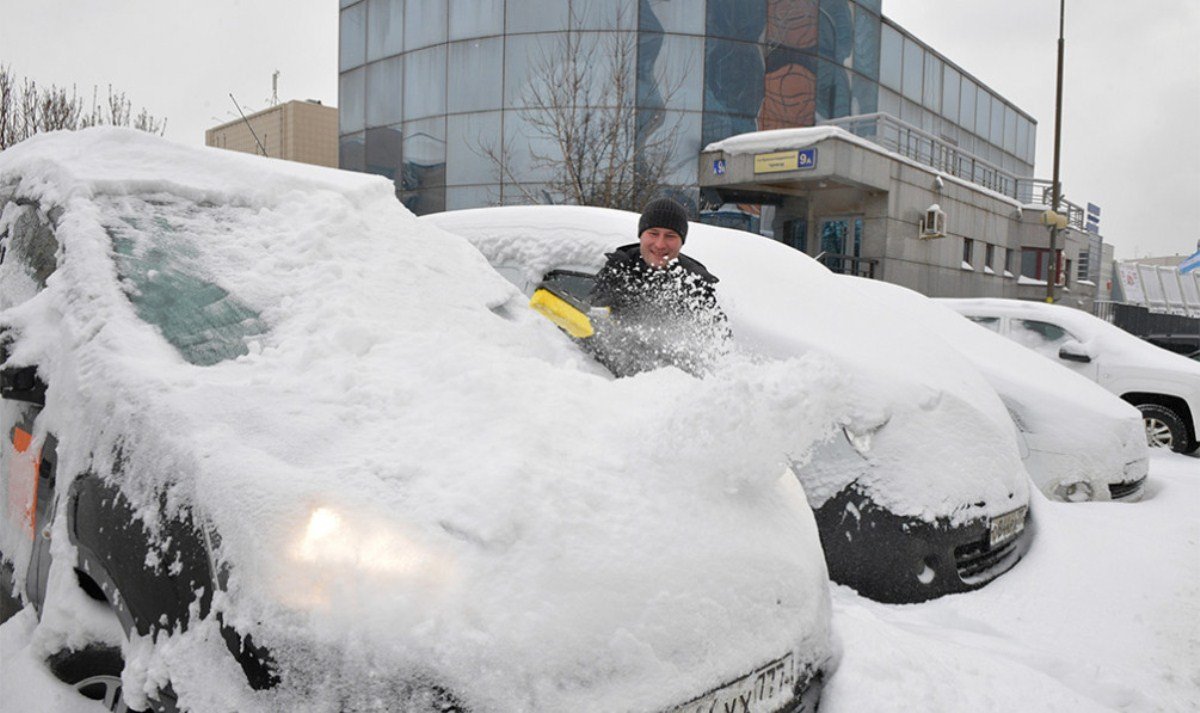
(337, 555)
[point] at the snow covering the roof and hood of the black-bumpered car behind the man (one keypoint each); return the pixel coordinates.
(939, 439)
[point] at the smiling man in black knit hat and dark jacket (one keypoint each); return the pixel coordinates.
(663, 304)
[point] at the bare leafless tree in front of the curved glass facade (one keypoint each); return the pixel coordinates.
(587, 131)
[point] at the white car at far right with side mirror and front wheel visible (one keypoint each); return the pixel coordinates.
(1165, 387)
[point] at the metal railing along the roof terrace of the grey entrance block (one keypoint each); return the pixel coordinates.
(929, 151)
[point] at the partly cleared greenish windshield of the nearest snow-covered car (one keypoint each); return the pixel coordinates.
(158, 250)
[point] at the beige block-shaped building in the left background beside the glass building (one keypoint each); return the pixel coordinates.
(296, 131)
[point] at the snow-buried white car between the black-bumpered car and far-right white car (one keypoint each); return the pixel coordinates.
(1078, 441)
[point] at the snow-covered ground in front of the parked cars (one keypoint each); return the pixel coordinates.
(1102, 615)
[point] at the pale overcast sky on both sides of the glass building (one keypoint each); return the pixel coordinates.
(1131, 115)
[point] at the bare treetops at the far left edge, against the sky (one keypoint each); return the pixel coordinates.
(27, 110)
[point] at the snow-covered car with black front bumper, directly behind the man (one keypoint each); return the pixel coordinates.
(922, 493)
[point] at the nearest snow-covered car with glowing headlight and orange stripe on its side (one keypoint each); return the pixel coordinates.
(273, 445)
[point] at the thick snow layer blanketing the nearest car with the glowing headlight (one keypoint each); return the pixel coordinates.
(485, 501)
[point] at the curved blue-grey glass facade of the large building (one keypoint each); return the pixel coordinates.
(428, 88)
